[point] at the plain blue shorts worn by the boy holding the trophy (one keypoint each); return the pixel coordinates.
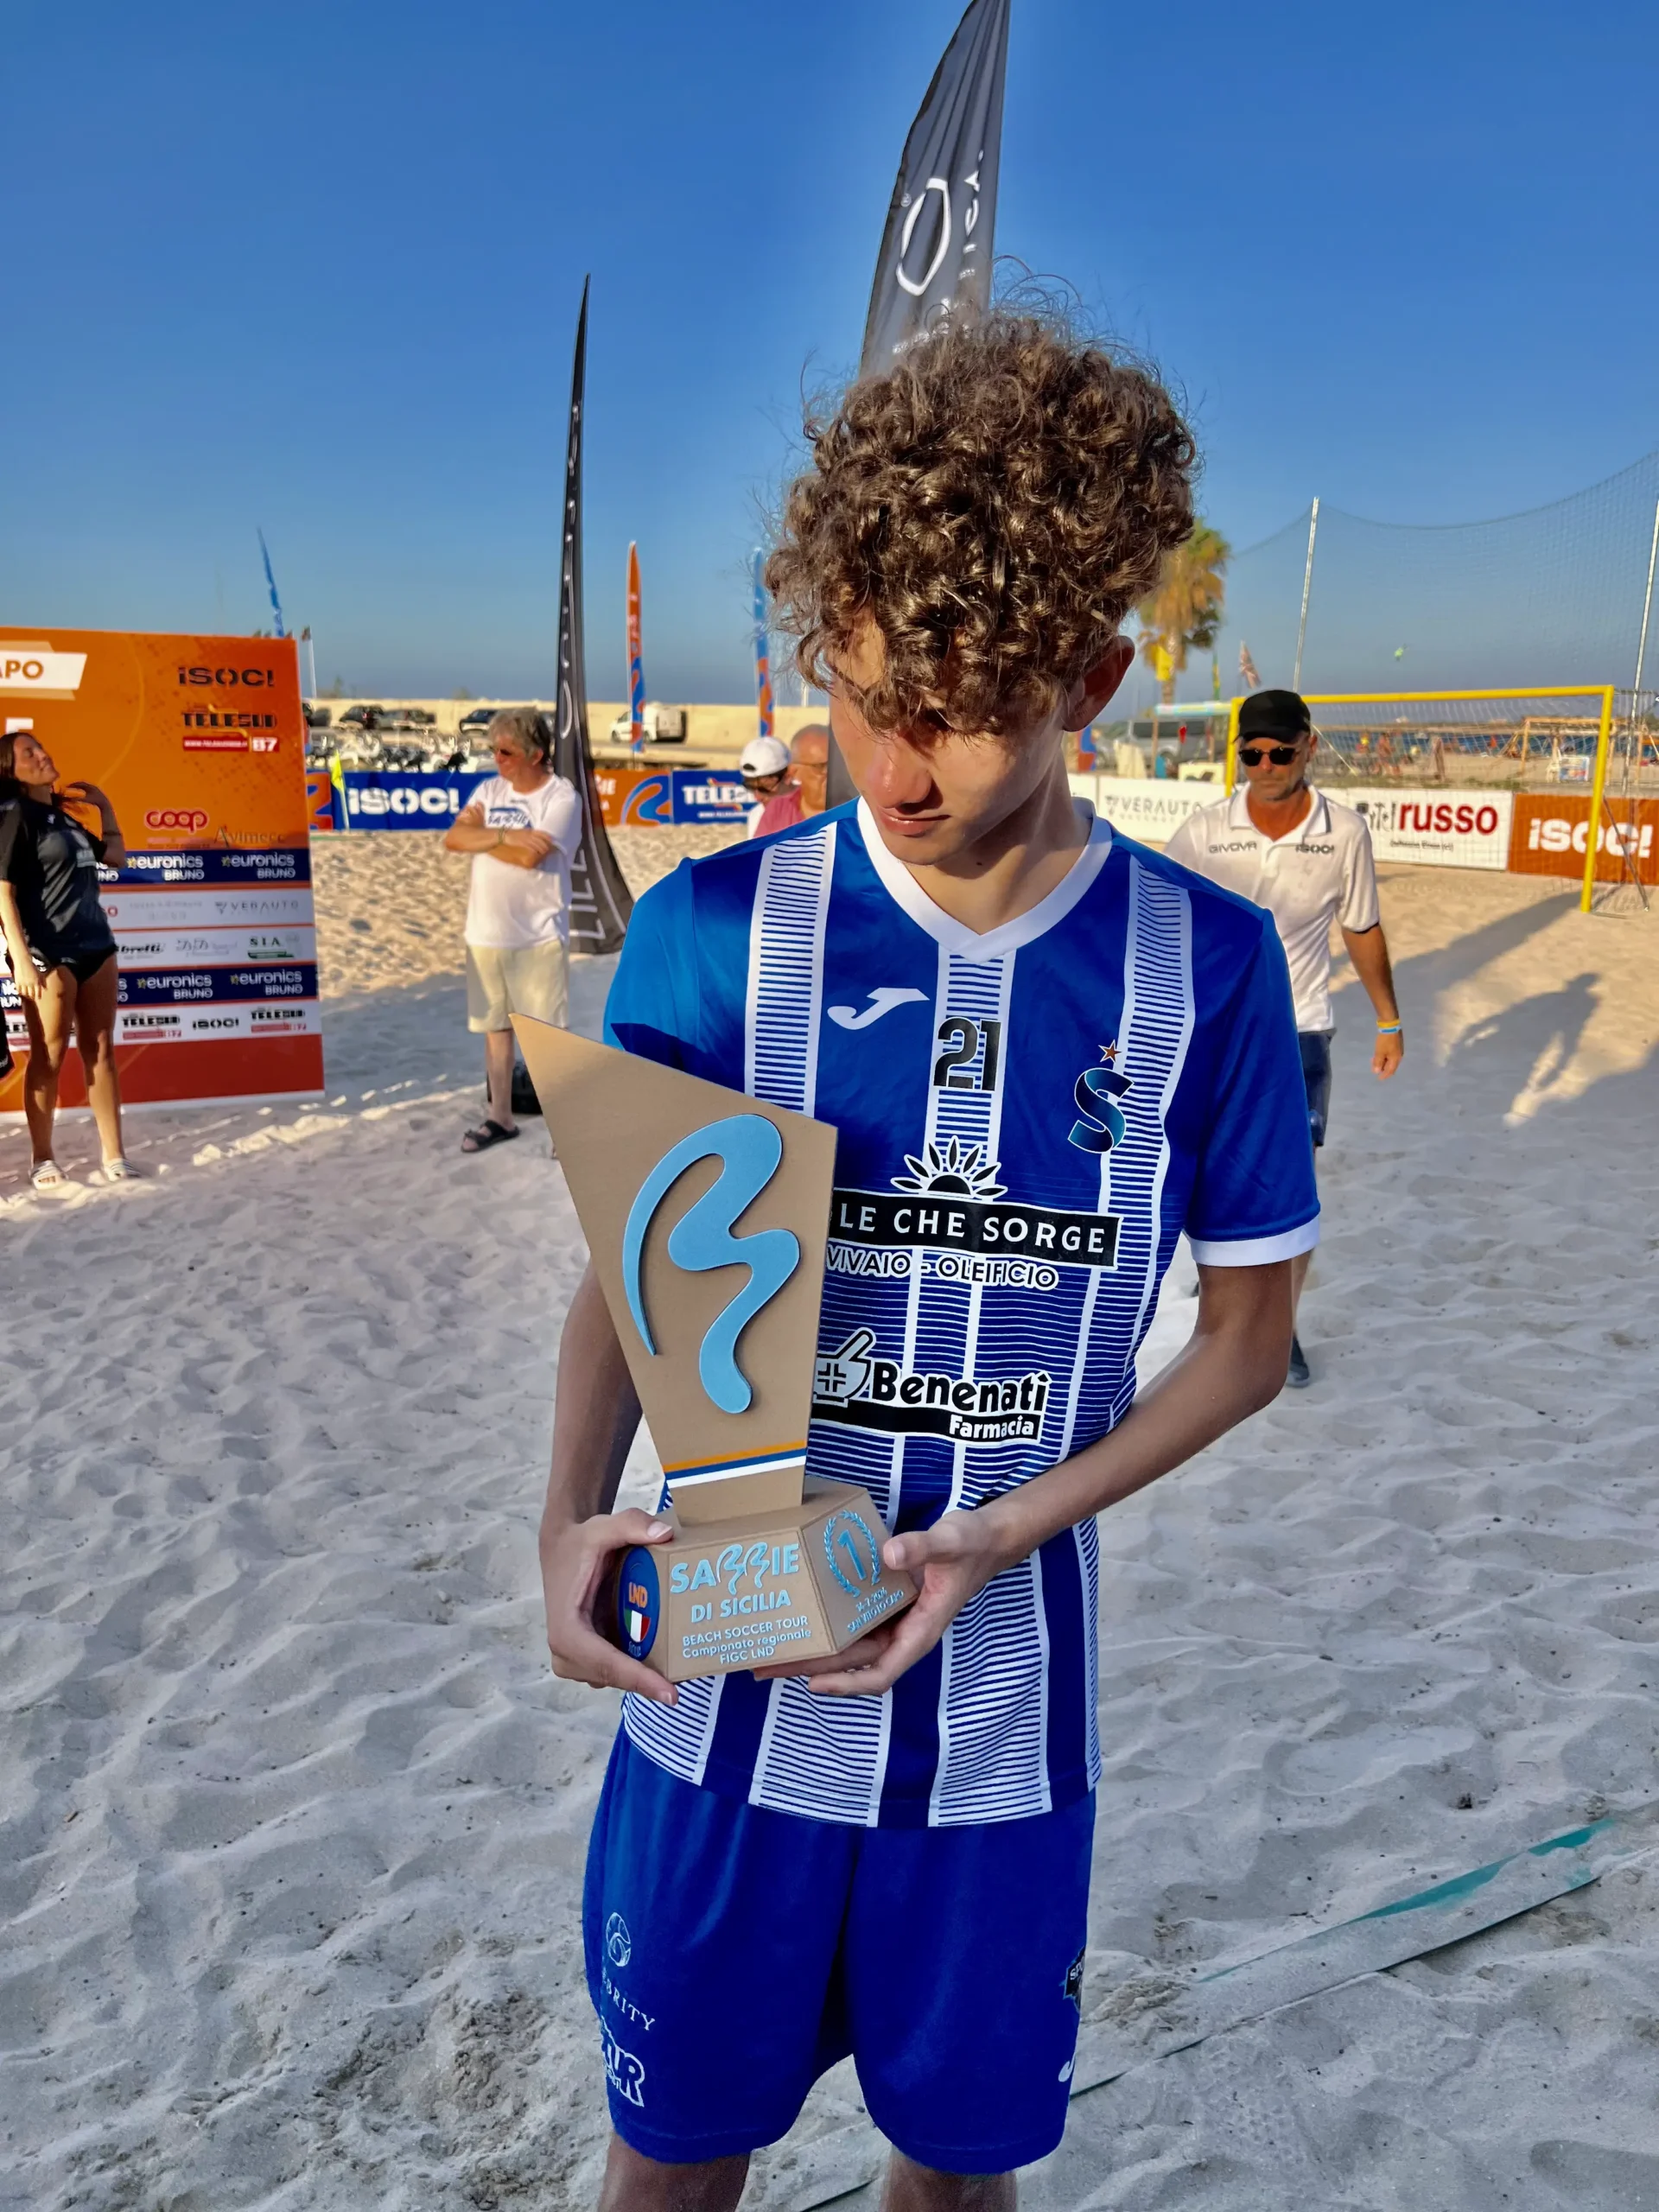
(735, 1954)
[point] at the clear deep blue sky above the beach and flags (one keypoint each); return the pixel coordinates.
(317, 269)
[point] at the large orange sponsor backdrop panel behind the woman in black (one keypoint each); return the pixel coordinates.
(200, 744)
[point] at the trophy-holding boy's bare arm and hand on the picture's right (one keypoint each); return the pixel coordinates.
(1233, 1366)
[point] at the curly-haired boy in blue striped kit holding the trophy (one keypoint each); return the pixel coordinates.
(1047, 1054)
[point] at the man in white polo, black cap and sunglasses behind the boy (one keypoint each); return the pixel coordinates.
(1308, 862)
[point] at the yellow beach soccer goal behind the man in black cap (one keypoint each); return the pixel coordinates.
(1483, 738)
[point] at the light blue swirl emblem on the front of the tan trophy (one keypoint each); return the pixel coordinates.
(749, 1149)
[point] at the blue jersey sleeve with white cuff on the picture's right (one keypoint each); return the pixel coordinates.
(1253, 1196)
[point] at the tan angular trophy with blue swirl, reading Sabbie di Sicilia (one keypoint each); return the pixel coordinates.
(707, 1218)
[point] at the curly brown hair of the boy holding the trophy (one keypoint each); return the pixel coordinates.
(994, 503)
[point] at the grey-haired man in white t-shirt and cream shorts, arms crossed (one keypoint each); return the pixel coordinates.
(523, 831)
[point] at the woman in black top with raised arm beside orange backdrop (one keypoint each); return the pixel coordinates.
(59, 943)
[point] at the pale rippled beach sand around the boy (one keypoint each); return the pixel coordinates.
(295, 1813)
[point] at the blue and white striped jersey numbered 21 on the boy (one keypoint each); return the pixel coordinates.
(1027, 1123)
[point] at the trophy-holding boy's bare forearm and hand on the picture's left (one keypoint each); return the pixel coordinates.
(594, 1426)
